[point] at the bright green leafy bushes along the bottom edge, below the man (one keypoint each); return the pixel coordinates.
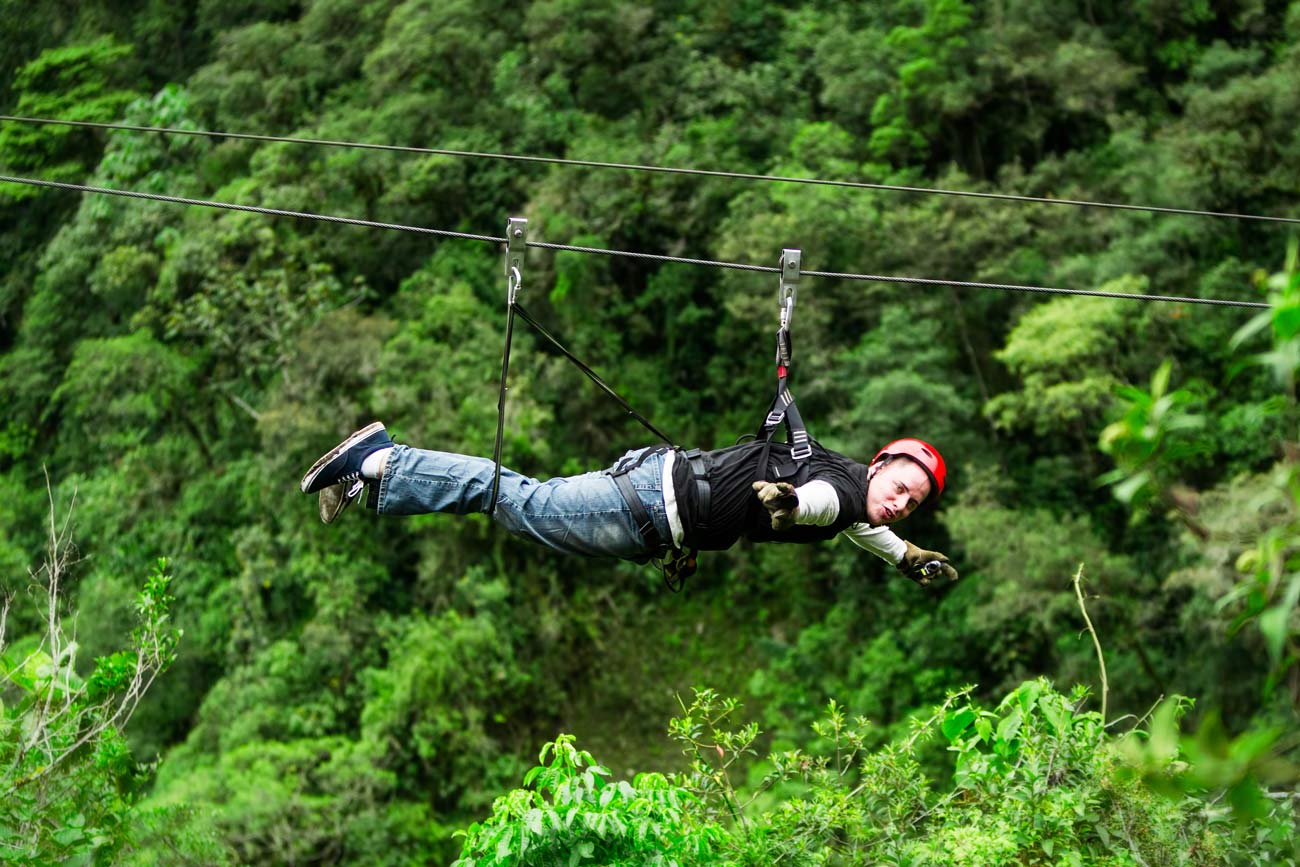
(1035, 781)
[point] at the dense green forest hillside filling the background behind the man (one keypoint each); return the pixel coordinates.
(356, 693)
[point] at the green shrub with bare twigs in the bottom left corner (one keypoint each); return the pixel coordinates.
(67, 774)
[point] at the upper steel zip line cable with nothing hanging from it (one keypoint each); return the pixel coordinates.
(662, 170)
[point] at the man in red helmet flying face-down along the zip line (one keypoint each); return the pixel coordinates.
(656, 501)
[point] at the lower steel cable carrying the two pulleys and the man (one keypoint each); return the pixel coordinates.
(681, 261)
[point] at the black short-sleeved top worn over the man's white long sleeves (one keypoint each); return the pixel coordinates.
(735, 511)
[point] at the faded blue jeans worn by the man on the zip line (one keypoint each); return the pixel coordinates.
(583, 515)
